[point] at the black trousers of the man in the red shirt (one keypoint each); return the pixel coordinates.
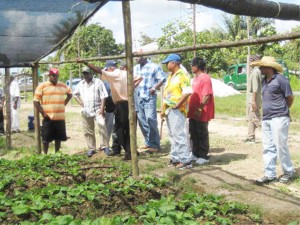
(199, 137)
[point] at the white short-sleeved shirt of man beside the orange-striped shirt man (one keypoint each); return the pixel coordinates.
(91, 95)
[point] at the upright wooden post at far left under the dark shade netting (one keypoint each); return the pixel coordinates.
(8, 107)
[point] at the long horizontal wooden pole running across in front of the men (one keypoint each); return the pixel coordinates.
(224, 44)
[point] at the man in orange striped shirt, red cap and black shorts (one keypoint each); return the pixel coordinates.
(50, 101)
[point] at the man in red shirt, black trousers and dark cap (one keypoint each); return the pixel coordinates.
(201, 111)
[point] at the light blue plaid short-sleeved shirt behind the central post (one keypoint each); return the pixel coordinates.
(152, 74)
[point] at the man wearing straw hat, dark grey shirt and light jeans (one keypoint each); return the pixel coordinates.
(277, 98)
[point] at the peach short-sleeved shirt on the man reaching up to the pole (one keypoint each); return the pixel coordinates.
(118, 84)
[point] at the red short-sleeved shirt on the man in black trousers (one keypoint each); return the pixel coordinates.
(202, 86)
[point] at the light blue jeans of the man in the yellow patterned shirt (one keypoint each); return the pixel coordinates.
(178, 136)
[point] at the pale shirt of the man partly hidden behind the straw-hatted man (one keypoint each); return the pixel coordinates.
(254, 85)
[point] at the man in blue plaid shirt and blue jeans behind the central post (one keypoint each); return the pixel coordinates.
(153, 78)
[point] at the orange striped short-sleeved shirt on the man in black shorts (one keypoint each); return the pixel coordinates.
(52, 98)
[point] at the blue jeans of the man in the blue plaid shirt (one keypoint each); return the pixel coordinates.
(147, 117)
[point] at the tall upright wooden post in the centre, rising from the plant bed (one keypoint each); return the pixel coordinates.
(130, 86)
